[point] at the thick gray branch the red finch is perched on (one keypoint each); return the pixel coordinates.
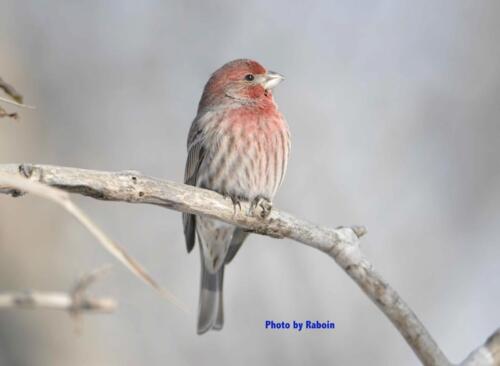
(341, 244)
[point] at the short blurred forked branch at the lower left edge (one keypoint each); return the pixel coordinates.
(75, 302)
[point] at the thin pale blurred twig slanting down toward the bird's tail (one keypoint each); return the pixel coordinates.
(16, 185)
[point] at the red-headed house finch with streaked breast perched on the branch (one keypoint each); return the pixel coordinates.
(238, 146)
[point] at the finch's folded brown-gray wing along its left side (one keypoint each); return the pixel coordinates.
(196, 153)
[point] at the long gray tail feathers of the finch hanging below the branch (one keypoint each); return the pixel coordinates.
(210, 311)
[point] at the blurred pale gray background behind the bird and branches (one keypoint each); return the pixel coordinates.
(393, 108)
